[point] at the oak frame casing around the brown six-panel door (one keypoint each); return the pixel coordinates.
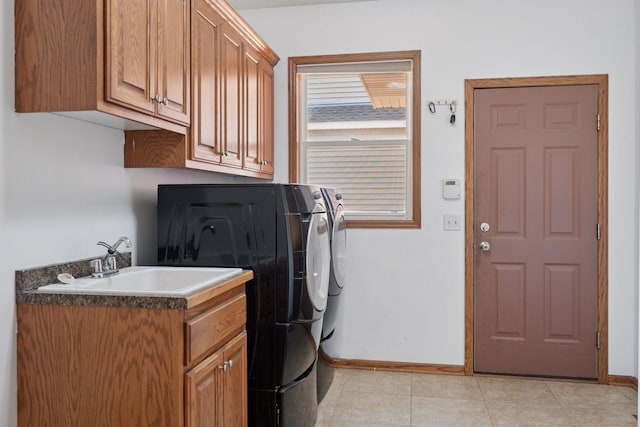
(602, 82)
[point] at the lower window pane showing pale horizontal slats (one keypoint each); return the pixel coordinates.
(372, 177)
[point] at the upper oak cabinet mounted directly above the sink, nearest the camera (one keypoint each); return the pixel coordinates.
(127, 58)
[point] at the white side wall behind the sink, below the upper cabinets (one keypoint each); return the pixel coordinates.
(62, 188)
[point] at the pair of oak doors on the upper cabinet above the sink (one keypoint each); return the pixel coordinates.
(147, 55)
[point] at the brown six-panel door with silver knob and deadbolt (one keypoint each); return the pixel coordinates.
(536, 189)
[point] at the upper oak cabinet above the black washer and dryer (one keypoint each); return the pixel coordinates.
(232, 101)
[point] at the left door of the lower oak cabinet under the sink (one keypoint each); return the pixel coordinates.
(203, 388)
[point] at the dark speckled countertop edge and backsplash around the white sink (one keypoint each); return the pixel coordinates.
(28, 282)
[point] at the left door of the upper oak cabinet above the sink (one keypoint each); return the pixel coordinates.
(131, 53)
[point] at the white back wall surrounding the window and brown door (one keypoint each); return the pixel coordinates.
(404, 300)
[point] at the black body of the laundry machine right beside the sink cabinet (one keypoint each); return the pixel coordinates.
(264, 228)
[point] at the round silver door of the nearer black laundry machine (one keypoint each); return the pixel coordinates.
(318, 261)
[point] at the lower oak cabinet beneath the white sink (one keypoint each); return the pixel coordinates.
(130, 366)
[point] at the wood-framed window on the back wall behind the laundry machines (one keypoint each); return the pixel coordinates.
(355, 125)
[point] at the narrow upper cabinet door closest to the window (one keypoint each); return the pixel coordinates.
(265, 139)
